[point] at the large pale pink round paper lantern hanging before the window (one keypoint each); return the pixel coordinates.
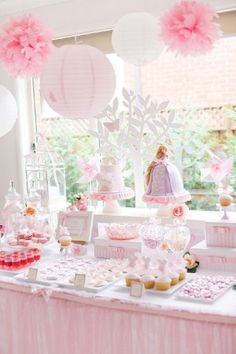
(77, 81)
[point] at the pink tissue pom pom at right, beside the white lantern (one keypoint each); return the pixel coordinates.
(189, 28)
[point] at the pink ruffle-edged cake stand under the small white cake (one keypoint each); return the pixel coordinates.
(110, 200)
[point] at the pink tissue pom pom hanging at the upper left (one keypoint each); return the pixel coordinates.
(25, 44)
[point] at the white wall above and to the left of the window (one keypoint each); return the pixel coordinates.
(65, 18)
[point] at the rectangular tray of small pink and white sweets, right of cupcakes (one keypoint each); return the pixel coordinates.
(206, 288)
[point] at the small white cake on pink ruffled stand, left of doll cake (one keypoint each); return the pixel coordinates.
(110, 178)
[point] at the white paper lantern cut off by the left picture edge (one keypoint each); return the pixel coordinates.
(8, 111)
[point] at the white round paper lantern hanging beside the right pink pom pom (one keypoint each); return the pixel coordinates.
(135, 38)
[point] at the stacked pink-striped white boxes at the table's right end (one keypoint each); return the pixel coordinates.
(218, 251)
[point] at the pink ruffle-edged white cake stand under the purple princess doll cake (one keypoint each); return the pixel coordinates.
(166, 201)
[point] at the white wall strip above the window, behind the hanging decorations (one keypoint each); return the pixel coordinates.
(79, 16)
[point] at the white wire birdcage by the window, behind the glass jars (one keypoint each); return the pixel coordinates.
(46, 171)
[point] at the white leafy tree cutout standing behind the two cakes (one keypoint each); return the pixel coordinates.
(132, 128)
